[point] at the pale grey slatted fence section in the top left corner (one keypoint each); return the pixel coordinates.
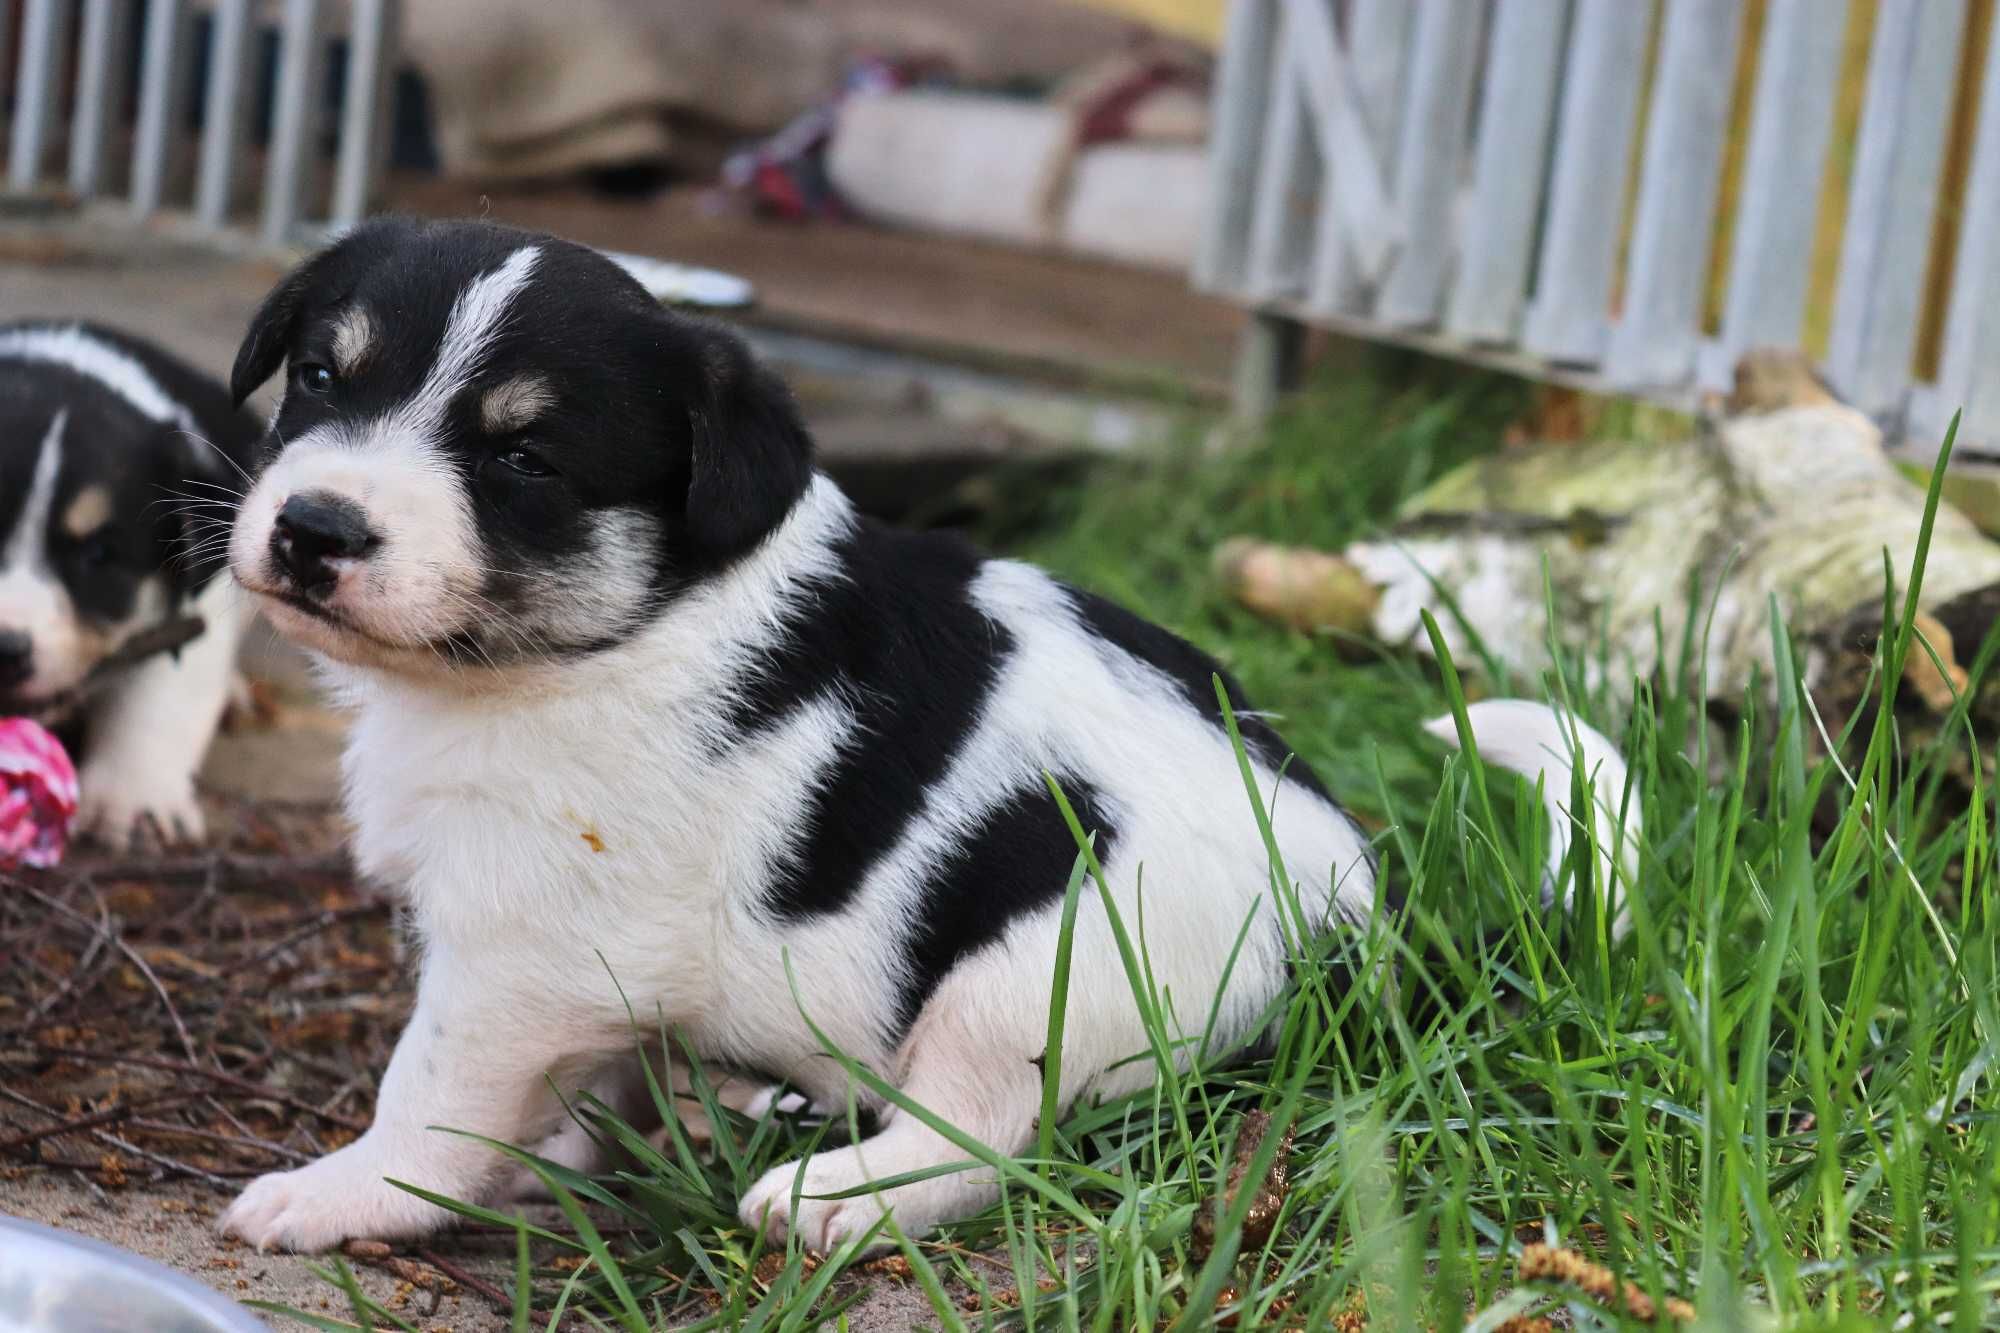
(81, 95)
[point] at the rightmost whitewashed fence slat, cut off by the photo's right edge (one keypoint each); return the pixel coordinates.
(1971, 371)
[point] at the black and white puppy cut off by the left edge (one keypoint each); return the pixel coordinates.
(119, 471)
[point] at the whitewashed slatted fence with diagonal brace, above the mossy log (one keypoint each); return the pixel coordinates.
(1539, 183)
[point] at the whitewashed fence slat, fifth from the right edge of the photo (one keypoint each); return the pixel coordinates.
(1567, 317)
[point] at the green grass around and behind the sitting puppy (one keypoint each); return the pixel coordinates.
(1775, 1098)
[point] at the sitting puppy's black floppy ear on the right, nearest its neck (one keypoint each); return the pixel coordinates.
(751, 455)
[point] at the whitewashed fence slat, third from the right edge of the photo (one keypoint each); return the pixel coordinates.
(1791, 127)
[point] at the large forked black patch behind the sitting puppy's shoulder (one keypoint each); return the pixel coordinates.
(899, 637)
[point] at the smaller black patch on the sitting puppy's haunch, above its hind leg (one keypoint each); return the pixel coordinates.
(1017, 860)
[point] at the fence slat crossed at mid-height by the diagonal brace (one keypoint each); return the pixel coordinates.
(1377, 61)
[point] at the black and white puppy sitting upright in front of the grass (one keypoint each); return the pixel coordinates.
(631, 680)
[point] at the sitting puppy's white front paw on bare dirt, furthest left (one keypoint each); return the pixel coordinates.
(335, 1200)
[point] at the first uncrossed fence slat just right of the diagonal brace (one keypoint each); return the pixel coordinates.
(1429, 159)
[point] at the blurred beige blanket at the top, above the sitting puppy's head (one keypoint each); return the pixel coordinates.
(527, 89)
